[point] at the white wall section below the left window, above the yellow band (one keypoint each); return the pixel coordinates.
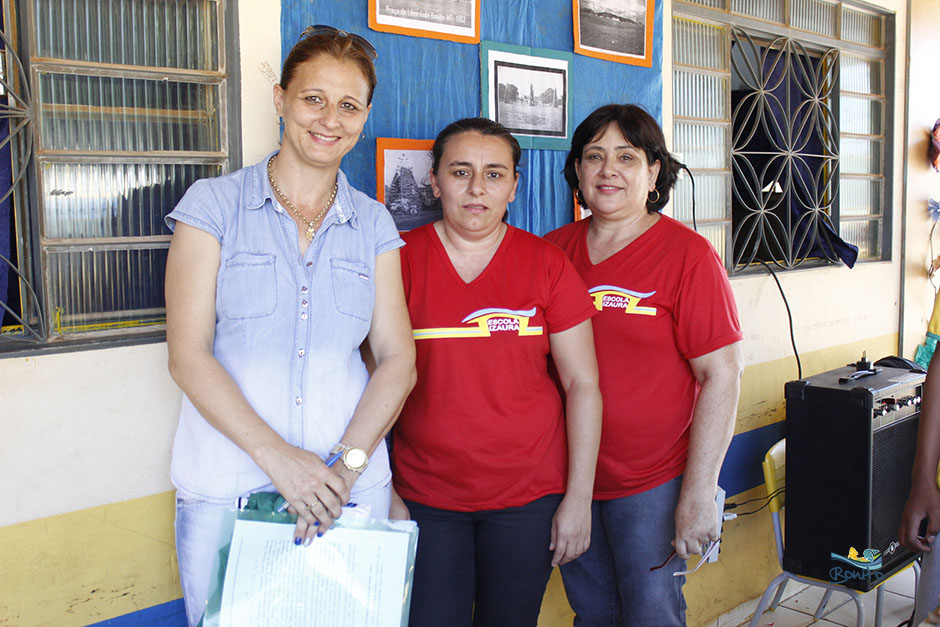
(84, 429)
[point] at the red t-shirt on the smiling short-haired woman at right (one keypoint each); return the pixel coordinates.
(664, 299)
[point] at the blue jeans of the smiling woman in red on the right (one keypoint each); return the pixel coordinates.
(611, 584)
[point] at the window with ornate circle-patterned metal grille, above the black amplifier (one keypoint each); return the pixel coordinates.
(785, 137)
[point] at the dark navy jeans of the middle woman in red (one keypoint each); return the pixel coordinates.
(486, 568)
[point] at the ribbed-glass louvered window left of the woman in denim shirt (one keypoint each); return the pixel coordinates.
(129, 99)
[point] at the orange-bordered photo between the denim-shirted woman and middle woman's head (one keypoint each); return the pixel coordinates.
(404, 185)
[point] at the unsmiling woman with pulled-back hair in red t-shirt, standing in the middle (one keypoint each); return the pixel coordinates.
(493, 465)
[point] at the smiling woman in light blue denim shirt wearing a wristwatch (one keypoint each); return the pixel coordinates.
(277, 273)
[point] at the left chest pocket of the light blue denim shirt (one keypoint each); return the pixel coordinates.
(248, 288)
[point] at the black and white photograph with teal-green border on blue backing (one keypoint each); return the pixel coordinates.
(527, 93)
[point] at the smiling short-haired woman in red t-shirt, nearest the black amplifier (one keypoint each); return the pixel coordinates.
(670, 359)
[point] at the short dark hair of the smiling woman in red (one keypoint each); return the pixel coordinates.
(642, 131)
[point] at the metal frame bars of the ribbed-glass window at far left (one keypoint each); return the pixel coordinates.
(33, 249)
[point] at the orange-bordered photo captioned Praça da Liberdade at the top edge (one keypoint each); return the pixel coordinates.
(454, 20)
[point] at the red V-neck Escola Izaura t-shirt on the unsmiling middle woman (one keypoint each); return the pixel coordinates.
(484, 427)
